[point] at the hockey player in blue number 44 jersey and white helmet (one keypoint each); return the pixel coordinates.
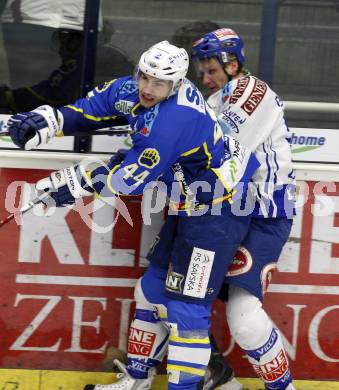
(177, 141)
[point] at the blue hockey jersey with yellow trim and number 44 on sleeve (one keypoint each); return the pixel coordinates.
(177, 141)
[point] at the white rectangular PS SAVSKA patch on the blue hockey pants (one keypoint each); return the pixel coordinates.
(198, 273)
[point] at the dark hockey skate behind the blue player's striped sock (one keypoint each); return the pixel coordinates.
(219, 375)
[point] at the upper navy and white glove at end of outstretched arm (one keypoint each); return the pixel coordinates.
(31, 129)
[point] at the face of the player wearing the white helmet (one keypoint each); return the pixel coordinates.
(152, 90)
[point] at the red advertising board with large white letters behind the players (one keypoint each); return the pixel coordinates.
(67, 289)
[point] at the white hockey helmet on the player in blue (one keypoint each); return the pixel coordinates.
(165, 62)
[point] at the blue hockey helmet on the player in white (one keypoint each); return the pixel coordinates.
(219, 43)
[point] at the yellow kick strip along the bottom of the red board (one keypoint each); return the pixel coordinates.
(71, 380)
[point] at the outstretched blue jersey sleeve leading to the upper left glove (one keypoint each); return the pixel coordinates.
(95, 111)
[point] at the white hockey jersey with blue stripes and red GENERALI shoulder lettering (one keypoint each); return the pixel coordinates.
(252, 113)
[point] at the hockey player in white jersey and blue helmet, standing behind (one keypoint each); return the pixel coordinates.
(252, 113)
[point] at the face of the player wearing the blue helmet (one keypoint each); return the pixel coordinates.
(212, 74)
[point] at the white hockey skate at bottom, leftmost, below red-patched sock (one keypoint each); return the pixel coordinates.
(125, 381)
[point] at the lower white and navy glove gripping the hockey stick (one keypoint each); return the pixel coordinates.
(65, 186)
